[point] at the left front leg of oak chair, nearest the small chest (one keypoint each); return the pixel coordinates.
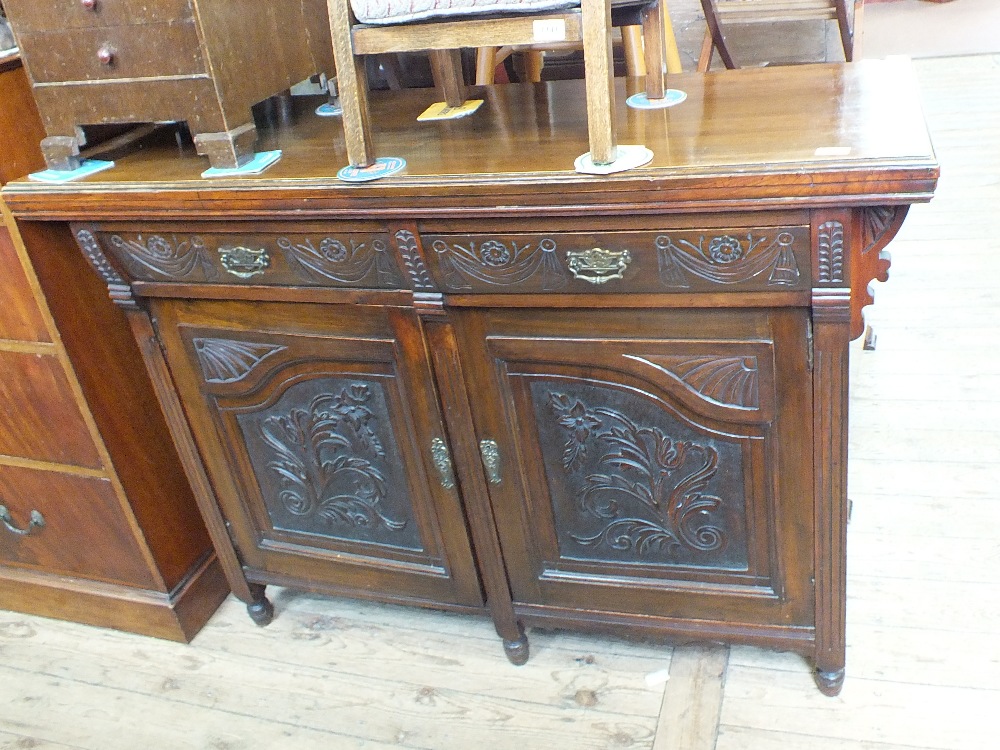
(353, 87)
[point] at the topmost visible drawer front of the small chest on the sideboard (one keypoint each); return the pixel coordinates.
(33, 15)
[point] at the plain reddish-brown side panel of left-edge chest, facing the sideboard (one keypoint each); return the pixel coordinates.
(117, 390)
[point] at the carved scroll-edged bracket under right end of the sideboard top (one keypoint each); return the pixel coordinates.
(876, 227)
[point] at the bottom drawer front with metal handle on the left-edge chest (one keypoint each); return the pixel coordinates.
(108, 550)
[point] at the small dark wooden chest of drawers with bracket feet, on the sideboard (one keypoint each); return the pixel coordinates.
(206, 62)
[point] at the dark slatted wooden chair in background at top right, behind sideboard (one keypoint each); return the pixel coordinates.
(719, 13)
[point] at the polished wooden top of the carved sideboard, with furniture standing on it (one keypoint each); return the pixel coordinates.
(812, 134)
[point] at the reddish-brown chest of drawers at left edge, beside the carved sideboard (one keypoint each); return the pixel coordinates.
(98, 523)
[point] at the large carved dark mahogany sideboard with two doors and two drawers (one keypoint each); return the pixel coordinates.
(492, 384)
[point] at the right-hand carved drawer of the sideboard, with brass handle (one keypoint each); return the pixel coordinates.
(648, 262)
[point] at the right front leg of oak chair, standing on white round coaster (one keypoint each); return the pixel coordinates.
(599, 78)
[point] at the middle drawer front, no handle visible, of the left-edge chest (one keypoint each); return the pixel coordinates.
(40, 419)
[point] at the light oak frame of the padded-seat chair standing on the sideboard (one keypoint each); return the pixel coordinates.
(443, 37)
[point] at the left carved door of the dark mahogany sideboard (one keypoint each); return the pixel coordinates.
(316, 424)
